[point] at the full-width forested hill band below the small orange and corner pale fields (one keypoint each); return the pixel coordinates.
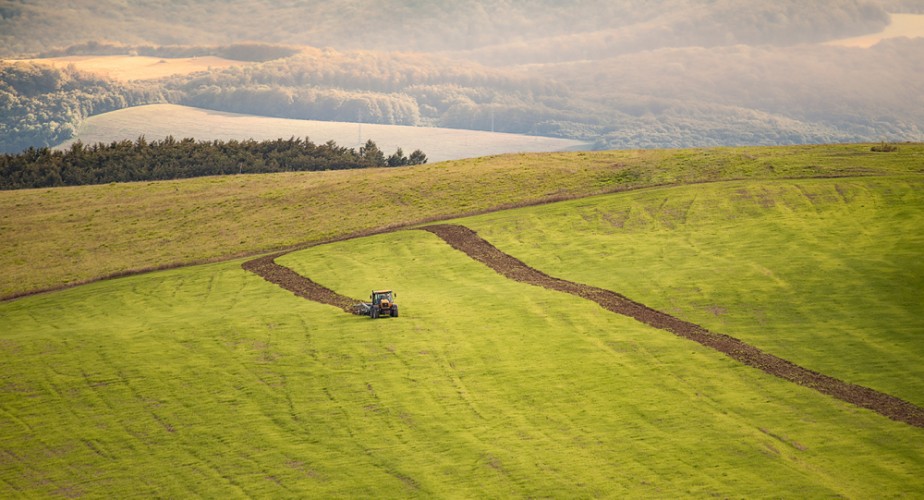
(670, 98)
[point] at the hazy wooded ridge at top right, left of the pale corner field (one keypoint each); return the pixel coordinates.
(686, 24)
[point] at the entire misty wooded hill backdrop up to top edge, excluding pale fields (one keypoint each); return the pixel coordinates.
(623, 73)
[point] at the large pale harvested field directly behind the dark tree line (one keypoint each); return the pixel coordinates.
(157, 121)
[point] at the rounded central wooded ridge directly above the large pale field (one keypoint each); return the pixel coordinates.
(388, 88)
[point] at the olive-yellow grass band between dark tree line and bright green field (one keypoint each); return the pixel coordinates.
(53, 237)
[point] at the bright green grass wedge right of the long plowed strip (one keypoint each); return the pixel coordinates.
(824, 273)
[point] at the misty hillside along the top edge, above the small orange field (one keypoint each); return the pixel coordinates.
(489, 31)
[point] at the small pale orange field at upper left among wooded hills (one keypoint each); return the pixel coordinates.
(127, 68)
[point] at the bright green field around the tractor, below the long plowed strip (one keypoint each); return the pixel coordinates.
(208, 381)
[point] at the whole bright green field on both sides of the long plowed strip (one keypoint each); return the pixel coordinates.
(209, 381)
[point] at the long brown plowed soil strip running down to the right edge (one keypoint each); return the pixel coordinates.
(466, 240)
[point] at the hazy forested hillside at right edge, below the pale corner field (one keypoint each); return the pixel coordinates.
(755, 95)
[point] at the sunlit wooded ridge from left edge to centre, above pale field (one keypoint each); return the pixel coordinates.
(41, 106)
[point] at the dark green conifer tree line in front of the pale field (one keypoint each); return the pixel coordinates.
(143, 160)
